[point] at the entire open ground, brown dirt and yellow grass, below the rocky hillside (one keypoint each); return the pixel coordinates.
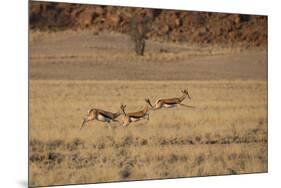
(71, 72)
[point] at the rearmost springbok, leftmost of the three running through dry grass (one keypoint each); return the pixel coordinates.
(100, 115)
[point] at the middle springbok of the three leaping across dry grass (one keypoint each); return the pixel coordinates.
(134, 116)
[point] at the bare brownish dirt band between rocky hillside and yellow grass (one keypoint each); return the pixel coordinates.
(82, 56)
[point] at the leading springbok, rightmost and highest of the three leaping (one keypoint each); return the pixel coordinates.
(170, 102)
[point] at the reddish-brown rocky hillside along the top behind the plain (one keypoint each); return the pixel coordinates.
(181, 26)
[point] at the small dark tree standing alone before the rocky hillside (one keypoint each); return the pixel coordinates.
(139, 27)
